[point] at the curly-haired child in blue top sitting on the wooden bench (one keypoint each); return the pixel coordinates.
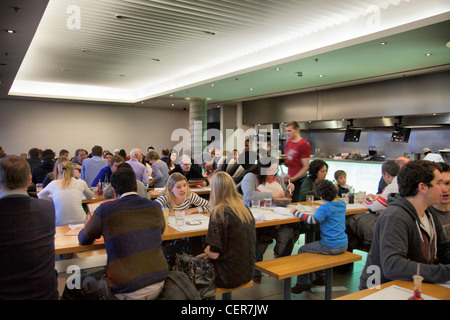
(333, 239)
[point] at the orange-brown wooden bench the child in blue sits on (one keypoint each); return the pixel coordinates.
(287, 267)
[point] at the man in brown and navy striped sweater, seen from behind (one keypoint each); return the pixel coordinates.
(132, 227)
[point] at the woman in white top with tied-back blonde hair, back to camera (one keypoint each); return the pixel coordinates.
(67, 193)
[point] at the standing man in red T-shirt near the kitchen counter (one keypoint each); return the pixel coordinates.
(297, 152)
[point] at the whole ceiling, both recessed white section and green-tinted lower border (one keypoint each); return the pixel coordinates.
(143, 51)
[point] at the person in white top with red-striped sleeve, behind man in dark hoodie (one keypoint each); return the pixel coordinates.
(389, 170)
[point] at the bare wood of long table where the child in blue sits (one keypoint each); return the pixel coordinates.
(69, 244)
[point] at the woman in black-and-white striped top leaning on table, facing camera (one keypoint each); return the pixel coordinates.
(177, 196)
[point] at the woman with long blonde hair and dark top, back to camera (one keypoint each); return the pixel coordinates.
(231, 234)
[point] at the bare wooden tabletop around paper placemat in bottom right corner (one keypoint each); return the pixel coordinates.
(432, 290)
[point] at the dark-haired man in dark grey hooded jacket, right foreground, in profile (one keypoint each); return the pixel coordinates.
(407, 232)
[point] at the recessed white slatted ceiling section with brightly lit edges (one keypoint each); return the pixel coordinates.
(134, 50)
